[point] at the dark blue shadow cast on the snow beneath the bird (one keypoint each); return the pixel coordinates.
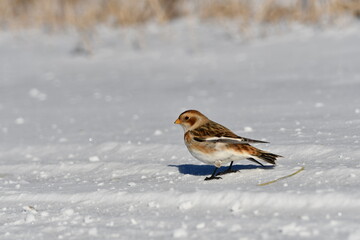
(202, 170)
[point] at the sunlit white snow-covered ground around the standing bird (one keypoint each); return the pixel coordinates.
(89, 149)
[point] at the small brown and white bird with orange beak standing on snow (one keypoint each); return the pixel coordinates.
(214, 144)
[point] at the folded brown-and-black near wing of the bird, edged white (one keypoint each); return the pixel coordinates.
(214, 132)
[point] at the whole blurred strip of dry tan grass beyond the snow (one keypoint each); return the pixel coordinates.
(83, 14)
